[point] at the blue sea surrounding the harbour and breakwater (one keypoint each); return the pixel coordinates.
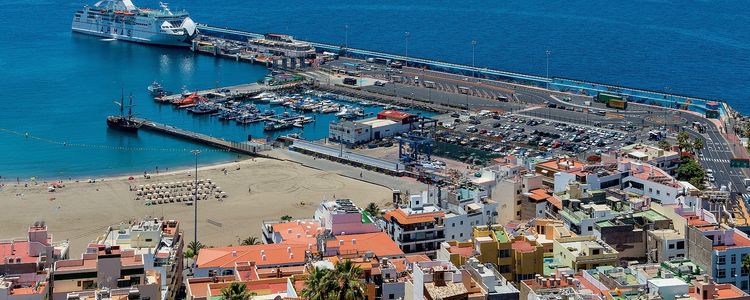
(56, 87)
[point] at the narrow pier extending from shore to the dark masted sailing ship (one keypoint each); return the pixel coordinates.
(247, 148)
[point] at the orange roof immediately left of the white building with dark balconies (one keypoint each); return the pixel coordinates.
(378, 242)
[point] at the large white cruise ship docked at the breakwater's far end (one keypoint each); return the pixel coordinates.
(120, 19)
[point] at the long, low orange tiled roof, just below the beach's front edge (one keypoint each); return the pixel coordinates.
(275, 254)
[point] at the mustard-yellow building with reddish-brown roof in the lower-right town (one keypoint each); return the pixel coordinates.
(516, 258)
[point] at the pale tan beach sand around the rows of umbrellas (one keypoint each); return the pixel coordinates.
(261, 189)
